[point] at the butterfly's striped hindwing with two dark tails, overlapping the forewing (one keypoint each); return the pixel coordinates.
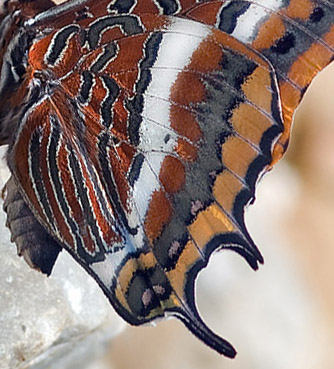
(140, 163)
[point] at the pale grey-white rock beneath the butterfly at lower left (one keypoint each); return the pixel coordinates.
(63, 321)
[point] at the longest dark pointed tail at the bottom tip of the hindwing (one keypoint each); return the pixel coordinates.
(196, 325)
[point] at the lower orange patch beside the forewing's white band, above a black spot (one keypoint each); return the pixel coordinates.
(271, 31)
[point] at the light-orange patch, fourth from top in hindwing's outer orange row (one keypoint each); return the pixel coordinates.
(226, 189)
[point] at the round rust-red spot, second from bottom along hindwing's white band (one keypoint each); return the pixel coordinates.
(172, 174)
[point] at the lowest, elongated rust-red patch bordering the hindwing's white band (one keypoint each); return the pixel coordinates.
(158, 214)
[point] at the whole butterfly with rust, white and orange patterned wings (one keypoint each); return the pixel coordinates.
(138, 129)
